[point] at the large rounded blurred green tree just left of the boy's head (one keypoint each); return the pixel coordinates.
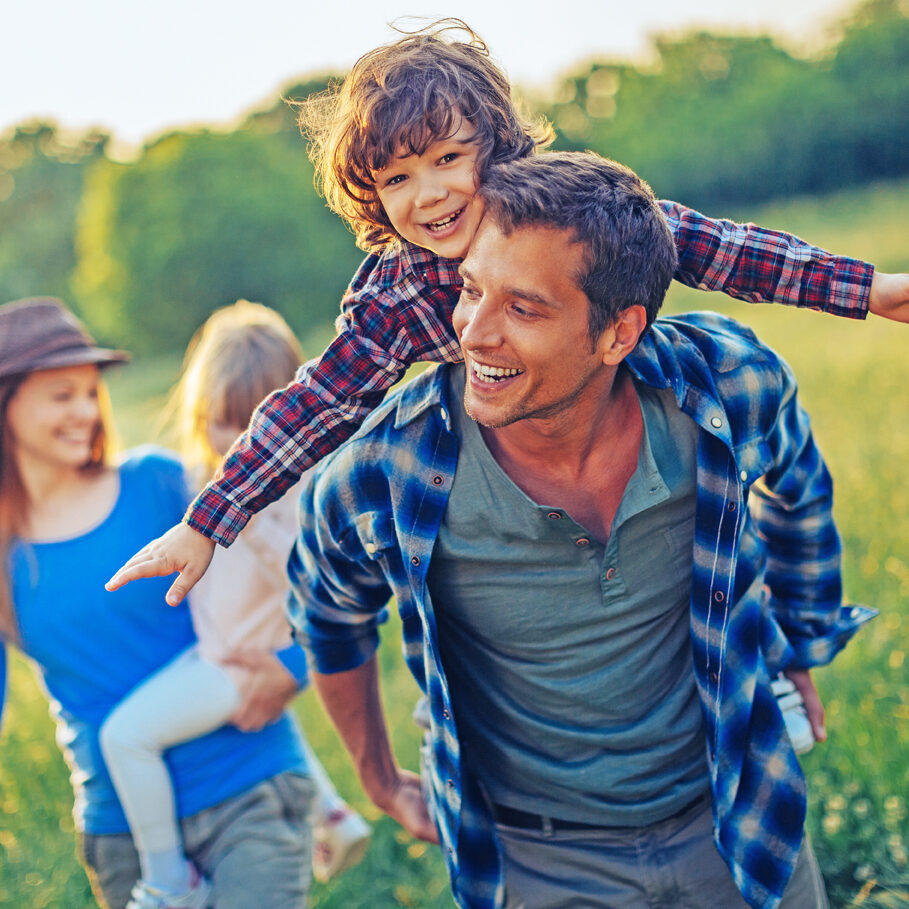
(200, 220)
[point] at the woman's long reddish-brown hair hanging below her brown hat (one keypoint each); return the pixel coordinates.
(14, 499)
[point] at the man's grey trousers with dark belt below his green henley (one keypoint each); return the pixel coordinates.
(673, 864)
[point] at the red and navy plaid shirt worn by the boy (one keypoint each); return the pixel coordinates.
(398, 309)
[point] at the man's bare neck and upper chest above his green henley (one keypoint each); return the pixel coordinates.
(580, 460)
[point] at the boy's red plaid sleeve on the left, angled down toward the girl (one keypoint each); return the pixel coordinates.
(397, 312)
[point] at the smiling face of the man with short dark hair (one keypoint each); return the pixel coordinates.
(522, 322)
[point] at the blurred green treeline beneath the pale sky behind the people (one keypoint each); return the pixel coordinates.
(144, 250)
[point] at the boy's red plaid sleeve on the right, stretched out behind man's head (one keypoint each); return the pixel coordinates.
(765, 266)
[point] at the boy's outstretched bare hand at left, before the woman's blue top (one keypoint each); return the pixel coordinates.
(181, 549)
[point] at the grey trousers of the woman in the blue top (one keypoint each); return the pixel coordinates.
(255, 848)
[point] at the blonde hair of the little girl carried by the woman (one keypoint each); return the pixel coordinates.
(241, 354)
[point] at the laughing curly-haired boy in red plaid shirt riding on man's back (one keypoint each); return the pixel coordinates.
(399, 151)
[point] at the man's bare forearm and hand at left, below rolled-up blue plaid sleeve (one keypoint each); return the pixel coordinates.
(353, 703)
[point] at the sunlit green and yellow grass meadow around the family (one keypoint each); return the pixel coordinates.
(853, 381)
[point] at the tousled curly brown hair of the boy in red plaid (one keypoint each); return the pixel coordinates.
(407, 95)
